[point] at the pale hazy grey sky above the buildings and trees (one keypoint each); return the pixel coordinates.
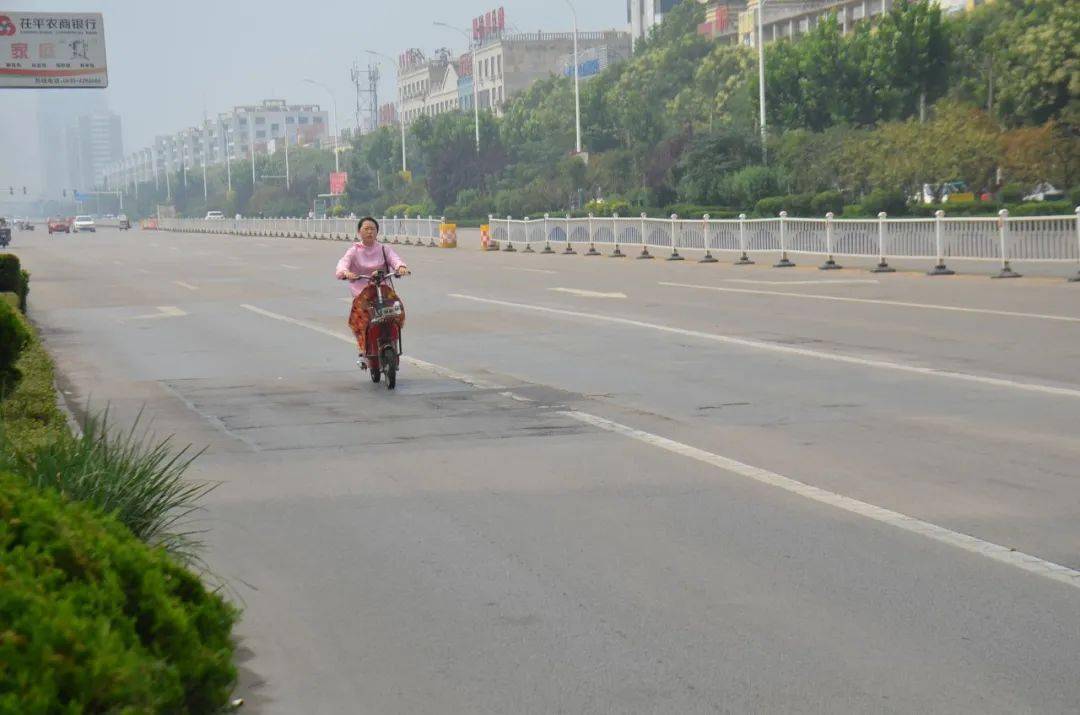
(170, 61)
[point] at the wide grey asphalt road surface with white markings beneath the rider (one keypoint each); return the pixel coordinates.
(611, 487)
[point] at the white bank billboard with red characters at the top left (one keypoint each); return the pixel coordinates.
(52, 50)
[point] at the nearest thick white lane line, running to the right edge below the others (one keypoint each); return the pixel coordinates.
(970, 544)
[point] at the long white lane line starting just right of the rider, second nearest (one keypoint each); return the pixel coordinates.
(803, 353)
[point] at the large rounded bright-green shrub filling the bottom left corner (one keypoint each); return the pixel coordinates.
(92, 620)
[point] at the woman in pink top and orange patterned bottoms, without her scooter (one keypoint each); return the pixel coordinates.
(361, 261)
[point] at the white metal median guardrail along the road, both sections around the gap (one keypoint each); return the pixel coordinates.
(1001, 238)
